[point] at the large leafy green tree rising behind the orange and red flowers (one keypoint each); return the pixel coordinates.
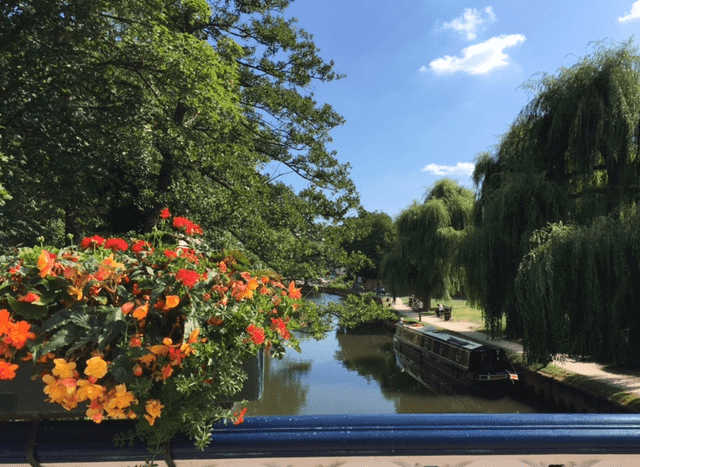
(112, 110)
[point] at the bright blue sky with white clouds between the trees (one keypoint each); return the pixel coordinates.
(432, 83)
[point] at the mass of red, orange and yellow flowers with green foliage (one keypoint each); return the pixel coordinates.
(151, 329)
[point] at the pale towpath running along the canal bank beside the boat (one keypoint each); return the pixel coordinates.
(629, 383)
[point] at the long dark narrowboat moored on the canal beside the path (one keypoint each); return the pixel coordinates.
(450, 364)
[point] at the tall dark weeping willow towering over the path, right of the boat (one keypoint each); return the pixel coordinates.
(568, 168)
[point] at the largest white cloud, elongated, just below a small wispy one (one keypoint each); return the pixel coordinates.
(478, 59)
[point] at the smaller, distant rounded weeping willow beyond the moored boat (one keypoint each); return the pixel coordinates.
(428, 236)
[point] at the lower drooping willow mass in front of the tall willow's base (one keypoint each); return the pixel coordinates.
(578, 290)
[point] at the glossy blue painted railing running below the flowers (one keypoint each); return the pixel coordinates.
(338, 436)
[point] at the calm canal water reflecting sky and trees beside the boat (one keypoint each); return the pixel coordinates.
(355, 372)
